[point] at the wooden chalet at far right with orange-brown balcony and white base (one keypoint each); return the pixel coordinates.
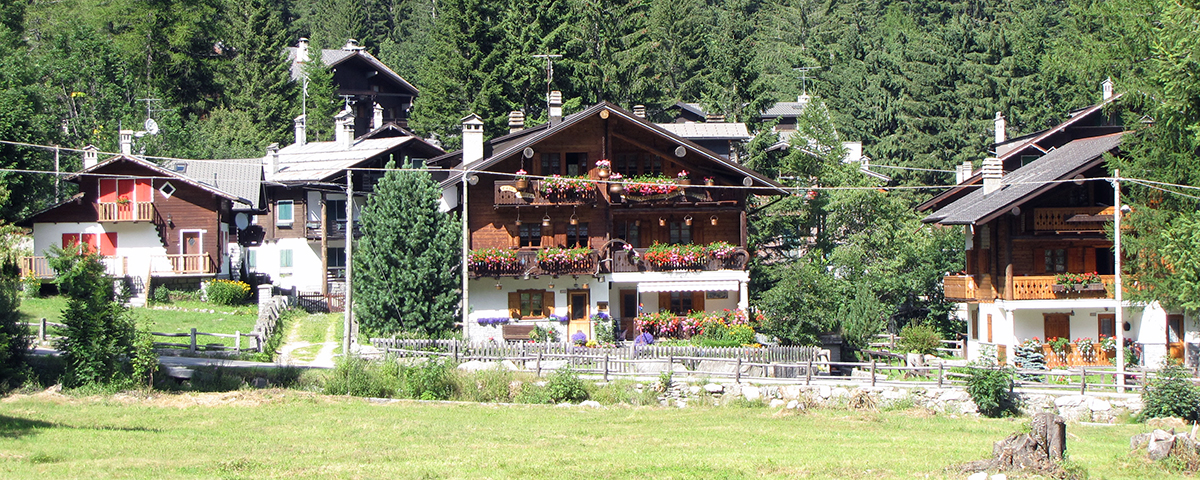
(1040, 211)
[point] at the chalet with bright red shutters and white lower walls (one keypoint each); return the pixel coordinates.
(154, 225)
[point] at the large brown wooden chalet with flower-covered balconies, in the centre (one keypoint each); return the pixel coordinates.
(569, 242)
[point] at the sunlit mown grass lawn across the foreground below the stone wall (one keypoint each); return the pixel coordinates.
(280, 434)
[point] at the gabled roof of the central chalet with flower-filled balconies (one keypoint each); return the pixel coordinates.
(506, 147)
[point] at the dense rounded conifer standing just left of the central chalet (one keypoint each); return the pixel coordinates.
(407, 265)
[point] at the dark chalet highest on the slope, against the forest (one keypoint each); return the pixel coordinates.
(377, 94)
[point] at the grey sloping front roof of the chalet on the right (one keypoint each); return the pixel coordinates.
(1029, 182)
